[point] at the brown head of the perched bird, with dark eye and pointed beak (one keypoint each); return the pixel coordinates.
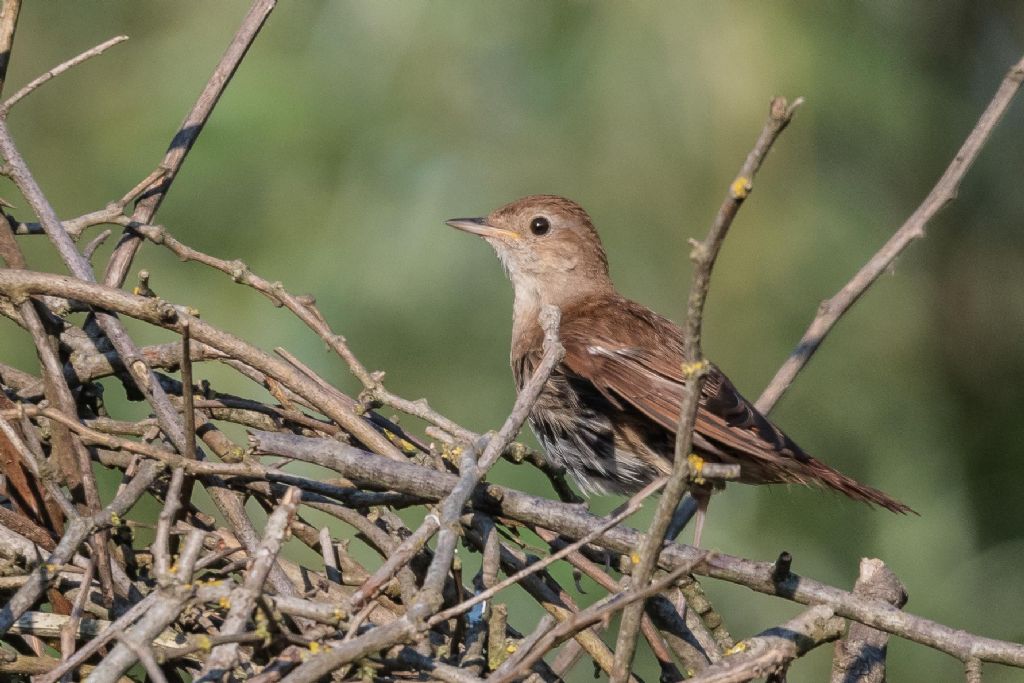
(548, 246)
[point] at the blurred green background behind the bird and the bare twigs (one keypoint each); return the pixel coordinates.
(355, 129)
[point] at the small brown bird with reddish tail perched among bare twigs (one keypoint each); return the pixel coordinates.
(610, 412)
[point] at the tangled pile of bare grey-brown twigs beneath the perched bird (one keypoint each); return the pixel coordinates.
(218, 601)
